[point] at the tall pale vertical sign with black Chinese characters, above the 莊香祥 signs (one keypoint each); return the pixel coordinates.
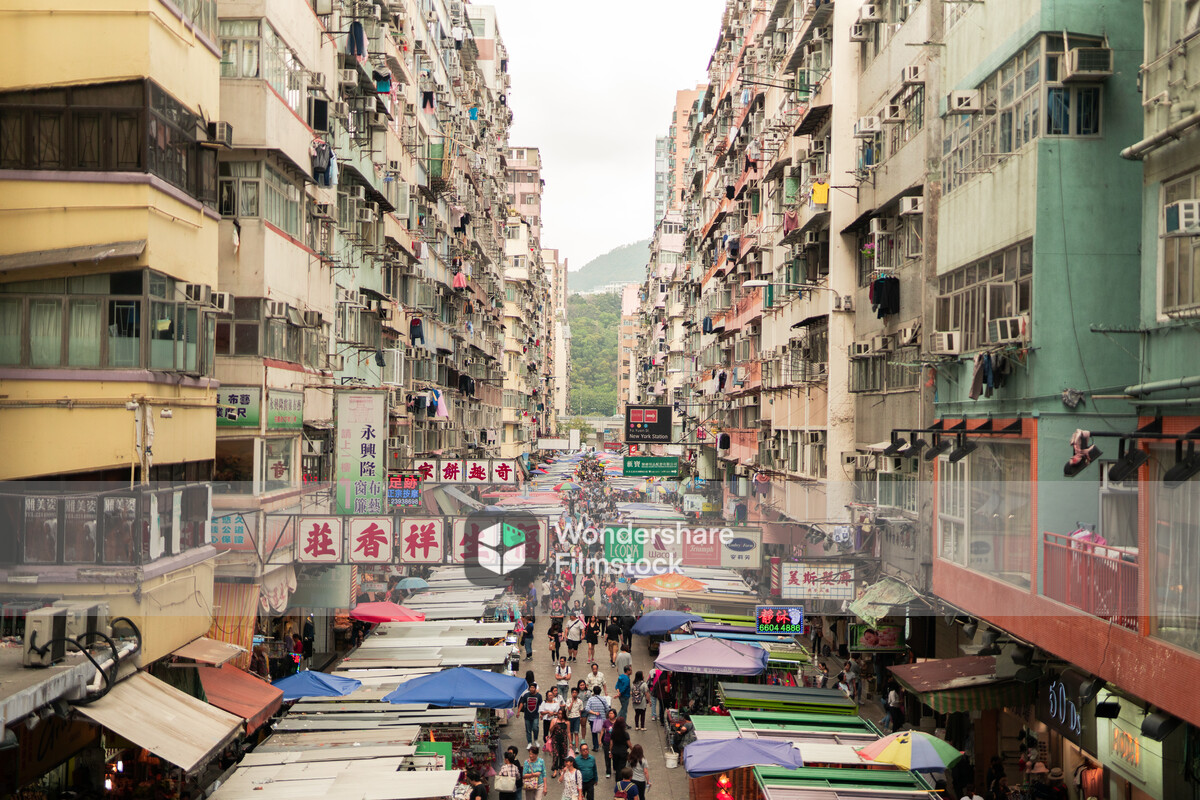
(362, 446)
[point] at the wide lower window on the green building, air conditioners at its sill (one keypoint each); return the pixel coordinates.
(995, 287)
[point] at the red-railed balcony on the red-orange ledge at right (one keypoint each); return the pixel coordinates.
(1095, 579)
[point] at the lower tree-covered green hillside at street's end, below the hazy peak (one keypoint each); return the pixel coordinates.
(595, 322)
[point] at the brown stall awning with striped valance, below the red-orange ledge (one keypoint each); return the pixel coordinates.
(965, 684)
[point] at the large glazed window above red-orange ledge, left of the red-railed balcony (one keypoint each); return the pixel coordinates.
(985, 510)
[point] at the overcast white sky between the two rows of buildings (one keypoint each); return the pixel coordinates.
(593, 83)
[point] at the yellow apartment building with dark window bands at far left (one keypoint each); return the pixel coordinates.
(107, 258)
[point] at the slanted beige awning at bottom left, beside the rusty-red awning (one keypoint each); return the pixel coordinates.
(170, 724)
